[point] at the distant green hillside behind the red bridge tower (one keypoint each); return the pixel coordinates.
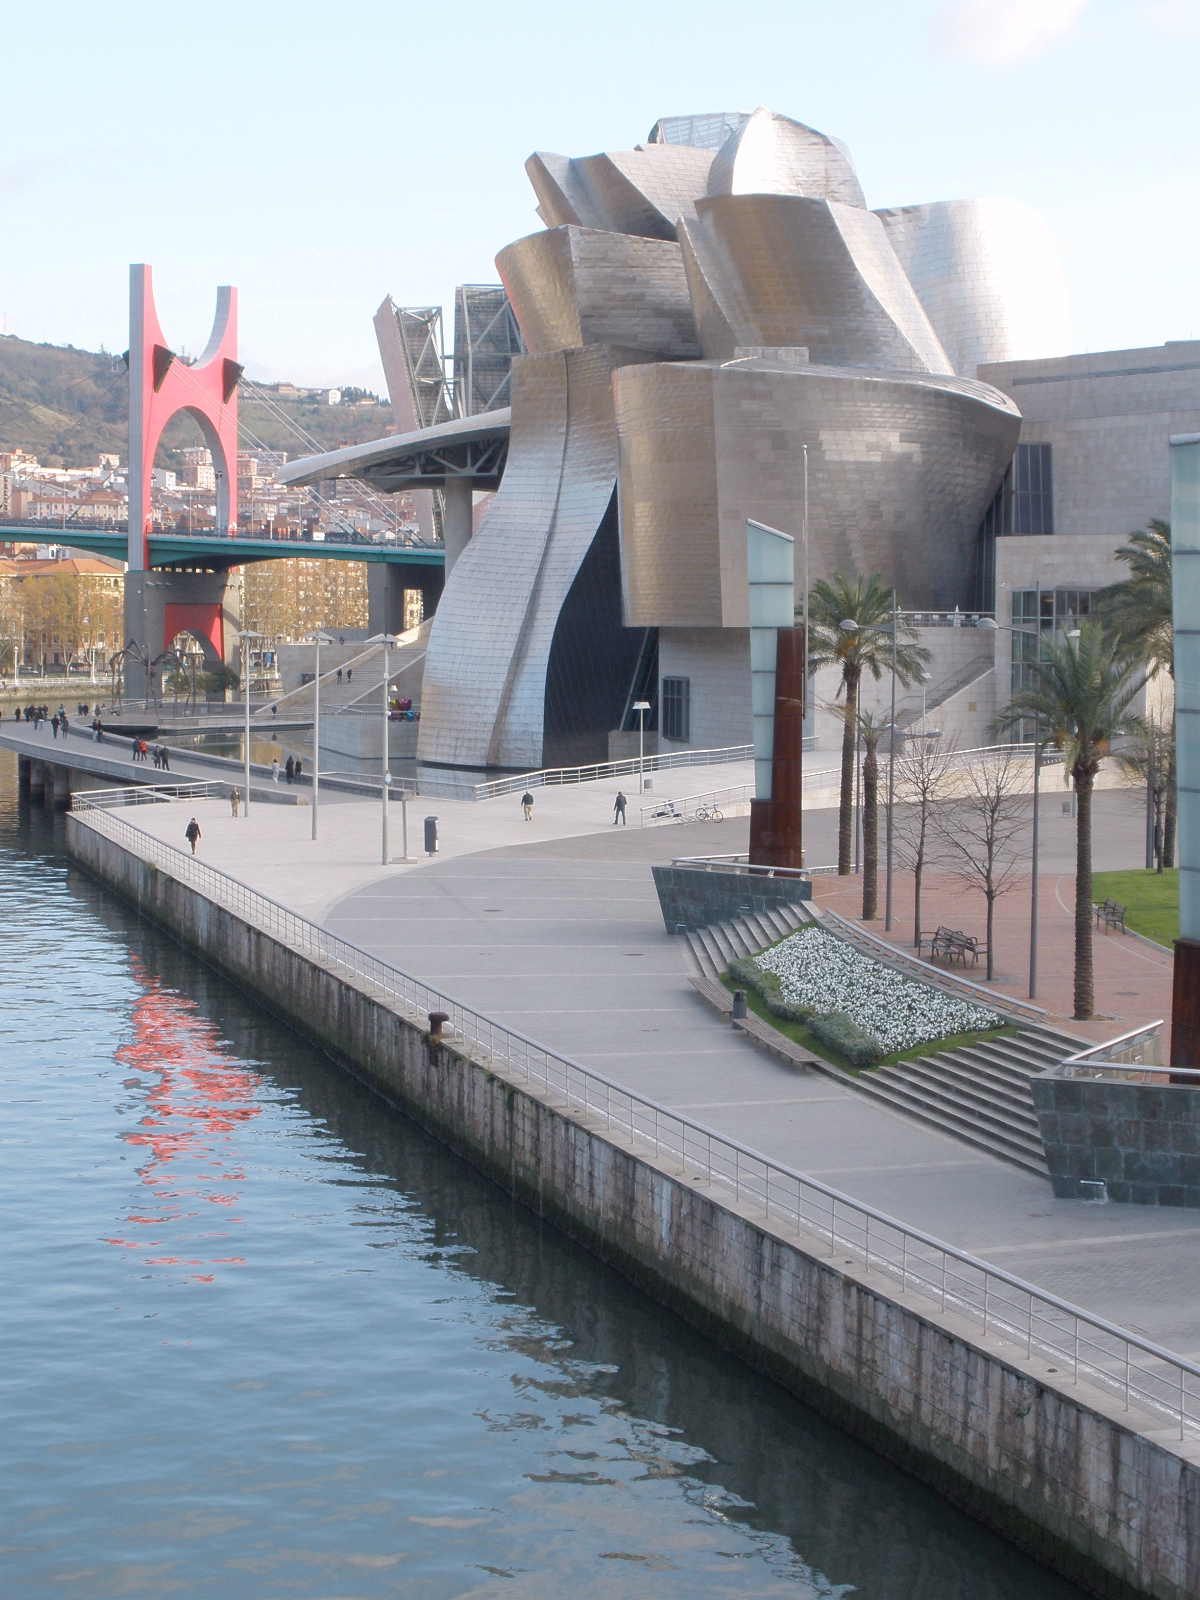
(66, 407)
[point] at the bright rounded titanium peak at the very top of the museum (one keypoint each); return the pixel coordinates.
(777, 156)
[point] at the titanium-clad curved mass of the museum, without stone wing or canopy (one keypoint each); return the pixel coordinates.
(698, 313)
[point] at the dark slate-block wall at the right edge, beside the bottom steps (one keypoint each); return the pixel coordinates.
(1140, 1140)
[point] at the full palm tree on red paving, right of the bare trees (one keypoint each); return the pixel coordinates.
(1082, 690)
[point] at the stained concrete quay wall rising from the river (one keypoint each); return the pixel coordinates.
(1063, 1473)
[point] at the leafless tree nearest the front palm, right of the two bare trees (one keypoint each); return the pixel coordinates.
(982, 830)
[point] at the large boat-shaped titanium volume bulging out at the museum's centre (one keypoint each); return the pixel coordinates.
(900, 473)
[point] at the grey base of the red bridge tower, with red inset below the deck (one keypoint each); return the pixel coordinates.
(161, 604)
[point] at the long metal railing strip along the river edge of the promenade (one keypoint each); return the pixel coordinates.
(1122, 1364)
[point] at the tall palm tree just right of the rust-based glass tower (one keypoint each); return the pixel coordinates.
(865, 649)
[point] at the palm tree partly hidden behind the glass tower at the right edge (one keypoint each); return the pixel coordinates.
(1138, 612)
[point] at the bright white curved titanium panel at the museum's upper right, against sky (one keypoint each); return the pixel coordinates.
(988, 276)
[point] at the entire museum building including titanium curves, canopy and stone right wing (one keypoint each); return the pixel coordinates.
(714, 327)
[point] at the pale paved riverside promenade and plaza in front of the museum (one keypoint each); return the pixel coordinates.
(553, 927)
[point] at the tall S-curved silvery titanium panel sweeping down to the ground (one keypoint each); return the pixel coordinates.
(484, 692)
